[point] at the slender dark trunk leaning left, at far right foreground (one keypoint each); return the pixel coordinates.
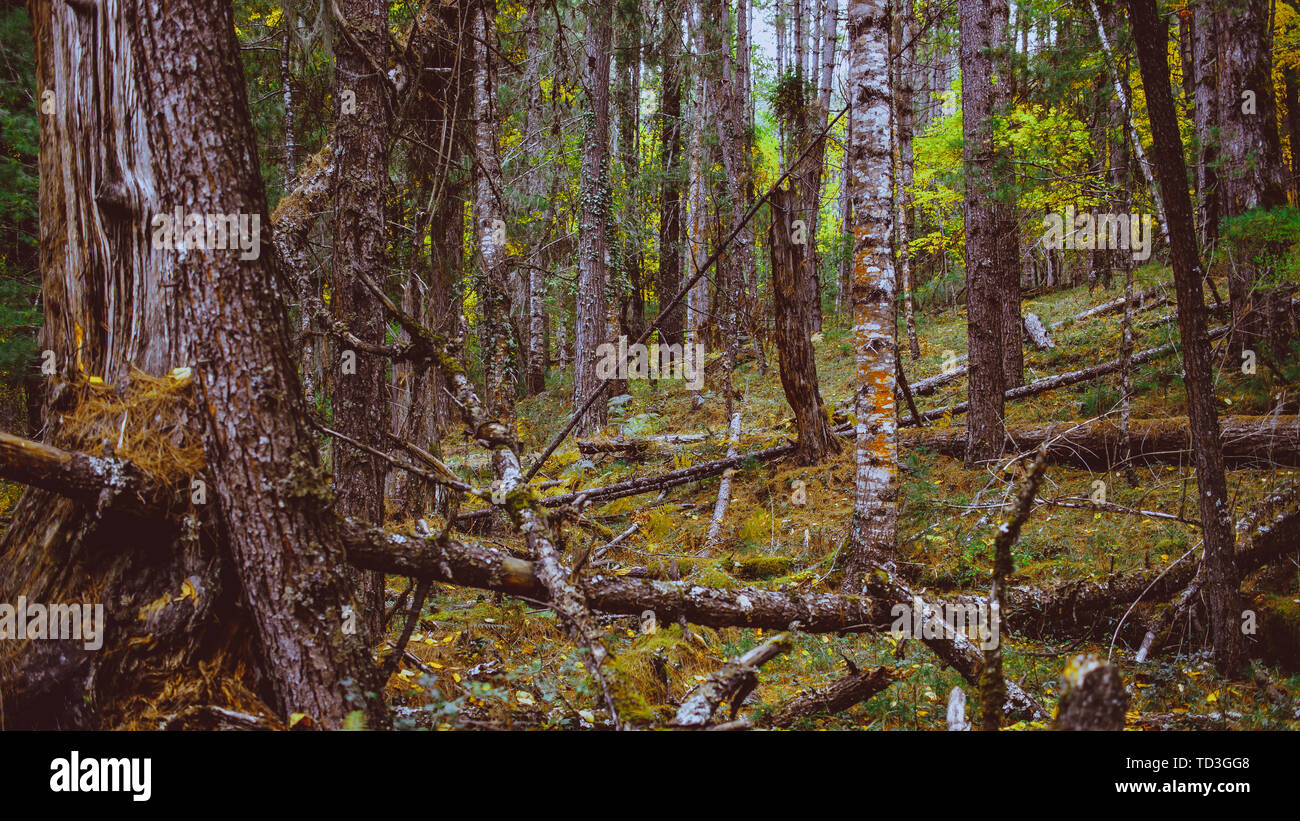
(1151, 34)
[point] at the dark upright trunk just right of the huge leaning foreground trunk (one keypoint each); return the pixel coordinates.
(361, 244)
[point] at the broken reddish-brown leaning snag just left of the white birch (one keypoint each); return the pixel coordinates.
(795, 347)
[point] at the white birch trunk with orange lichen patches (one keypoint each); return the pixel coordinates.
(876, 515)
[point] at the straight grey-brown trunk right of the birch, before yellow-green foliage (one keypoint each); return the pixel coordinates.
(985, 279)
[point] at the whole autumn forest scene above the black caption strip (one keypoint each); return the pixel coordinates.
(617, 364)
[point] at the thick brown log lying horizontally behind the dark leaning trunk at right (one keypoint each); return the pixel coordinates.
(1249, 441)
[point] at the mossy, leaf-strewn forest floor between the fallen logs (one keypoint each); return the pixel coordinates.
(489, 662)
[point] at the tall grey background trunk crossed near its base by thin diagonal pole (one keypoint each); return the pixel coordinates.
(593, 241)
